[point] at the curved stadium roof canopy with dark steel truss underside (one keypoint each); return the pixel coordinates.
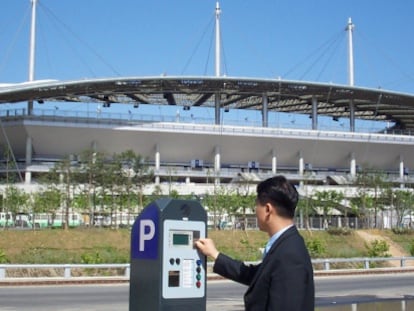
(232, 93)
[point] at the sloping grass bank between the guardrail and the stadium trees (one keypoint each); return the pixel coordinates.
(112, 246)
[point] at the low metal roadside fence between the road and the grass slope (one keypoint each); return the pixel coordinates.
(108, 271)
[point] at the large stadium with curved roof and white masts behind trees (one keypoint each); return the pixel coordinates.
(200, 154)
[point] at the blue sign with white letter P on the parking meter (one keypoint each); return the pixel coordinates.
(144, 242)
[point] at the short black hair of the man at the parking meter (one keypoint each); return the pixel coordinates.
(280, 193)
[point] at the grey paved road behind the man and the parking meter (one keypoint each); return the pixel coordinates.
(222, 295)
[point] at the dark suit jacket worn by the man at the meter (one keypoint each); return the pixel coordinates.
(283, 281)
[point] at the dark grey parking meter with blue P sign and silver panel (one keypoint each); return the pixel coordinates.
(167, 271)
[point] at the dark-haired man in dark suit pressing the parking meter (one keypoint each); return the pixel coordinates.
(284, 279)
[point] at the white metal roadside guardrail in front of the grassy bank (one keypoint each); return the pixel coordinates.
(123, 270)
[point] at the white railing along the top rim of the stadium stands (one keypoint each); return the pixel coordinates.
(200, 124)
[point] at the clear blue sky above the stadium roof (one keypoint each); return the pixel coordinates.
(289, 39)
